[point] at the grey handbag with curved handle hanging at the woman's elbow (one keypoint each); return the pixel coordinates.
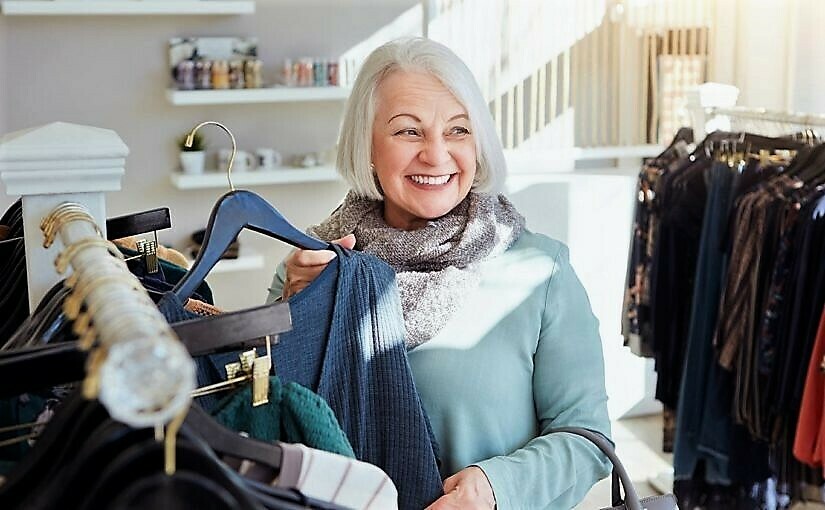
(621, 479)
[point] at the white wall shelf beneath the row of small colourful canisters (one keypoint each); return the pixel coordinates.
(264, 95)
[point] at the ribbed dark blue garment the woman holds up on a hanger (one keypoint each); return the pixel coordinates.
(347, 345)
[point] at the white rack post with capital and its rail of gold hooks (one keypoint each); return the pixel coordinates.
(138, 369)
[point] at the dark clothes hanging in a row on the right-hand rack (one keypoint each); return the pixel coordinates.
(736, 293)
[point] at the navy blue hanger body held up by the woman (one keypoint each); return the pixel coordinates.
(232, 213)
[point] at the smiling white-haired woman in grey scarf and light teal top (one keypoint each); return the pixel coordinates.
(501, 339)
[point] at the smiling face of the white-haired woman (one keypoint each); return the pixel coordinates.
(423, 149)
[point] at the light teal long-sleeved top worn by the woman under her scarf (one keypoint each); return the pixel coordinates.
(522, 355)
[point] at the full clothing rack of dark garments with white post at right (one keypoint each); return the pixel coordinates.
(769, 198)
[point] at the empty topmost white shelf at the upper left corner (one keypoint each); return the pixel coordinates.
(124, 7)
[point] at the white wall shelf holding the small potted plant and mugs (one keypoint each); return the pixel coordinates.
(216, 179)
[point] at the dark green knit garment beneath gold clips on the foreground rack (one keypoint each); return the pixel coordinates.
(294, 414)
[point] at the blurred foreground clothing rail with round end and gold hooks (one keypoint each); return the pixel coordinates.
(137, 367)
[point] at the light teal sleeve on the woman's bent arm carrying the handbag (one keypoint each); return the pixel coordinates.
(557, 470)
